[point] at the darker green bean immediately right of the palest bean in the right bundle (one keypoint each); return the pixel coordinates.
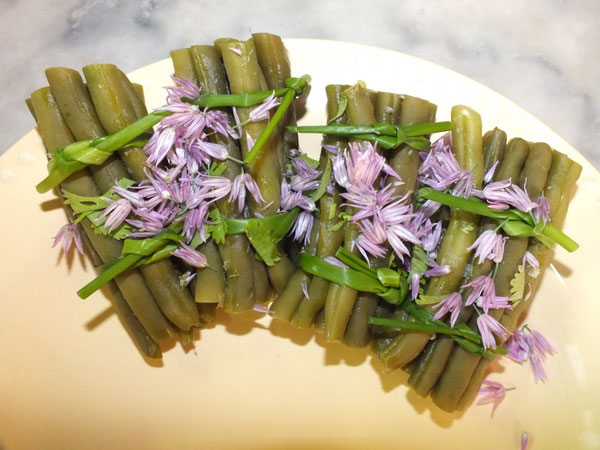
(432, 361)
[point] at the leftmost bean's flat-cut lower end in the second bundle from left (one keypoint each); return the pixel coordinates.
(210, 280)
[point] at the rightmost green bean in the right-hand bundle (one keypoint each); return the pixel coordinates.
(559, 180)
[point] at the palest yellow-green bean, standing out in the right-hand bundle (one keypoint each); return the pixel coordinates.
(460, 234)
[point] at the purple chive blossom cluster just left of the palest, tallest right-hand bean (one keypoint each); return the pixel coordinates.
(440, 169)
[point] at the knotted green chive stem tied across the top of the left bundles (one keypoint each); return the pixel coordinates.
(79, 155)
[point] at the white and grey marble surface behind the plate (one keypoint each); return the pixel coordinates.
(542, 54)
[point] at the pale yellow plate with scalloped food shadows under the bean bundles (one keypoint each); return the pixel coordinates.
(71, 378)
